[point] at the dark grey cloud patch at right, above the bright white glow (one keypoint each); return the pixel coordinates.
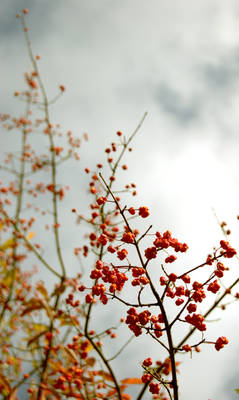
(212, 87)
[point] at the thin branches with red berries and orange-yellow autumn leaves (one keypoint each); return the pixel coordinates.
(50, 347)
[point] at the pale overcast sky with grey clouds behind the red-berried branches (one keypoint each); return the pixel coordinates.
(179, 61)
